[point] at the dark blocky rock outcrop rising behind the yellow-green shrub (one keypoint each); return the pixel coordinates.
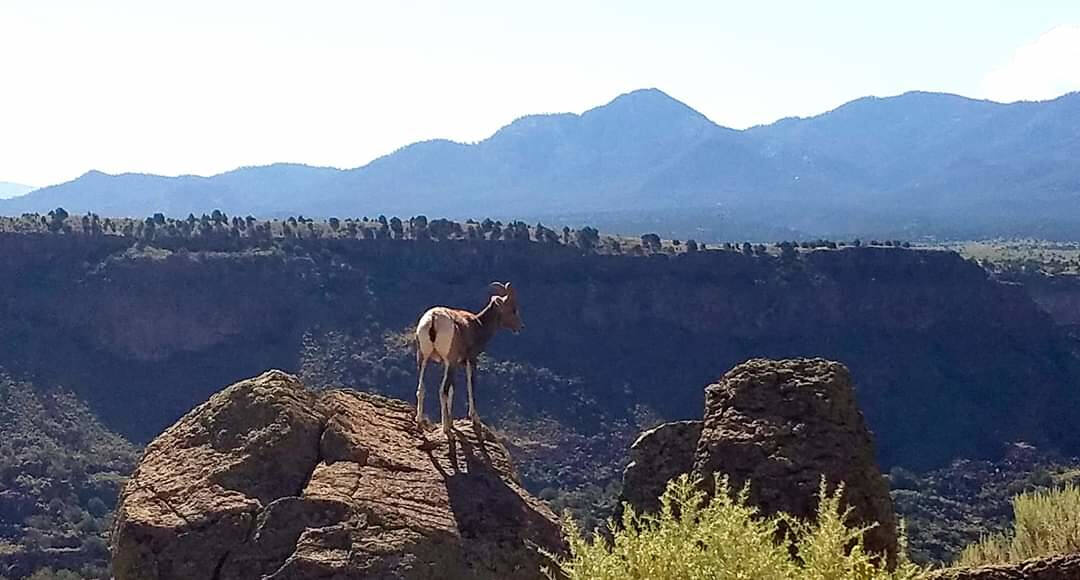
(780, 426)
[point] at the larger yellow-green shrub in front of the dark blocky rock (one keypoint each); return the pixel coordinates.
(725, 537)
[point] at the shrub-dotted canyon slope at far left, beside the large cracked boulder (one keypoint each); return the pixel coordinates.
(61, 473)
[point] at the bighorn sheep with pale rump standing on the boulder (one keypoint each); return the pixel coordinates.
(457, 339)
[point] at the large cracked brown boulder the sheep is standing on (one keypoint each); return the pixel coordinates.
(268, 480)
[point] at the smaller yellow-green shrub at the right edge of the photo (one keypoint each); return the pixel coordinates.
(1047, 522)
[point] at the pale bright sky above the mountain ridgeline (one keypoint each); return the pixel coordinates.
(206, 87)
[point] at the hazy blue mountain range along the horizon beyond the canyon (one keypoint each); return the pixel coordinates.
(914, 166)
